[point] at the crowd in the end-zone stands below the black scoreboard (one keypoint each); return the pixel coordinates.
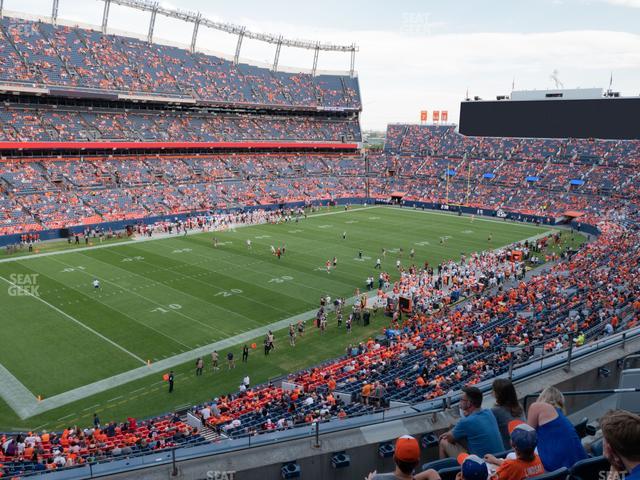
(547, 177)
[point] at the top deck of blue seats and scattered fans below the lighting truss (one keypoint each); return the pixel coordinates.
(41, 53)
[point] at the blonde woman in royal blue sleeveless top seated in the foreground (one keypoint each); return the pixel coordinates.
(558, 443)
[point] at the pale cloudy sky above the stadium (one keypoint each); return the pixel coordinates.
(416, 55)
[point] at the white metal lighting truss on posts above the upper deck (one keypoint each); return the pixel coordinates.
(197, 19)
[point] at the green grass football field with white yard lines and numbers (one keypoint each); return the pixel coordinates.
(162, 298)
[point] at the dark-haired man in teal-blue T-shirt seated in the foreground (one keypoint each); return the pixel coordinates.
(477, 428)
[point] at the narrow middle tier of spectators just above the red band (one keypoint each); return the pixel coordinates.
(55, 124)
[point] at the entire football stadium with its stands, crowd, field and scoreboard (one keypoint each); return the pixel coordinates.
(210, 268)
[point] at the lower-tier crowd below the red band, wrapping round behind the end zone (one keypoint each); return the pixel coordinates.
(182, 183)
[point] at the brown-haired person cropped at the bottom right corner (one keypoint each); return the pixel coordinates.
(621, 432)
